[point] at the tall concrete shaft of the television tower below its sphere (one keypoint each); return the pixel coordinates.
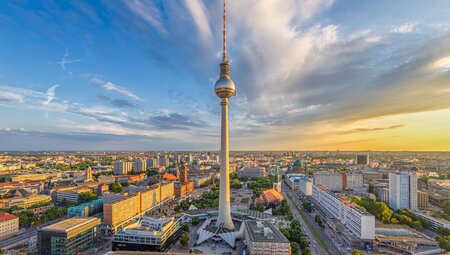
(224, 219)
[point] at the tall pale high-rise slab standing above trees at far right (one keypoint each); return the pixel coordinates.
(403, 190)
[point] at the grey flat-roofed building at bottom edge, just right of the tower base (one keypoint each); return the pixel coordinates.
(264, 238)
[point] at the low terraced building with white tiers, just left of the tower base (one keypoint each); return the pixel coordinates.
(147, 235)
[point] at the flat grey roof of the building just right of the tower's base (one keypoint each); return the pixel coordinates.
(264, 231)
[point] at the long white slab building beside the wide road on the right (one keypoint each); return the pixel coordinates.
(356, 220)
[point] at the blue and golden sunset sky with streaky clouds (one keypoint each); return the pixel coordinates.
(309, 75)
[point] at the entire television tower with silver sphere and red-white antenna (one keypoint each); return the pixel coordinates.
(224, 89)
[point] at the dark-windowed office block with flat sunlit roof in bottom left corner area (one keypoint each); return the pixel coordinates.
(71, 236)
